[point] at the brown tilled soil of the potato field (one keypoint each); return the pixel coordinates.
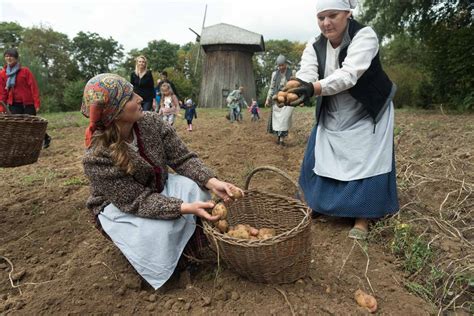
(67, 266)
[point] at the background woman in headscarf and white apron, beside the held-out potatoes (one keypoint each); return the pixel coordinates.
(280, 117)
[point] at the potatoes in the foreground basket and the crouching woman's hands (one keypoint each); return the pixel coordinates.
(241, 231)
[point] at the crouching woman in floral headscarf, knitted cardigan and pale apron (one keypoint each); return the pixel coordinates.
(149, 214)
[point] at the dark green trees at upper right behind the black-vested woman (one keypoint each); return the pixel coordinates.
(439, 41)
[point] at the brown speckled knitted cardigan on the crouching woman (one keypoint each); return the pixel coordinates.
(136, 193)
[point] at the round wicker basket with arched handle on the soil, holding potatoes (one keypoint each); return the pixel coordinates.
(280, 259)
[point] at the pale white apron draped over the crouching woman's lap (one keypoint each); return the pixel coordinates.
(154, 246)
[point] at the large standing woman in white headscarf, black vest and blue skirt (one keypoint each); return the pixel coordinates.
(348, 168)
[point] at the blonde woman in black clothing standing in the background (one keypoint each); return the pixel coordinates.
(143, 83)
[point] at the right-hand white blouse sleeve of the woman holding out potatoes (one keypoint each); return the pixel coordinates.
(360, 53)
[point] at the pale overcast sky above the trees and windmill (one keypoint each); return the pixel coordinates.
(135, 23)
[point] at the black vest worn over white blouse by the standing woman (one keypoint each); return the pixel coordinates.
(373, 89)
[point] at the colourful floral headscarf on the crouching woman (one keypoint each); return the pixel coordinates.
(104, 97)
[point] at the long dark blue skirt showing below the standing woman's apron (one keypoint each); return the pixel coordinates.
(372, 197)
